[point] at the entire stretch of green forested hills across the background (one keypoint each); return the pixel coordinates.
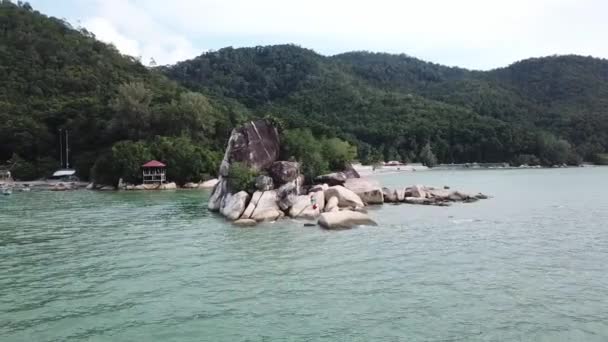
(56, 77)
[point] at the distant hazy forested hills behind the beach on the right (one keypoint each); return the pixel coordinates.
(548, 110)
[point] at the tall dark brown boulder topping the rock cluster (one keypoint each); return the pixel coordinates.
(256, 144)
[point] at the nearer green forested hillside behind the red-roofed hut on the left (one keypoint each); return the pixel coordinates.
(118, 112)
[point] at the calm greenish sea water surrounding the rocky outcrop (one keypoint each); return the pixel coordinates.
(530, 264)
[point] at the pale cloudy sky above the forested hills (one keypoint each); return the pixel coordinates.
(475, 34)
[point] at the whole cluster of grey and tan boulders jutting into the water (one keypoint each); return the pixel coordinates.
(338, 200)
